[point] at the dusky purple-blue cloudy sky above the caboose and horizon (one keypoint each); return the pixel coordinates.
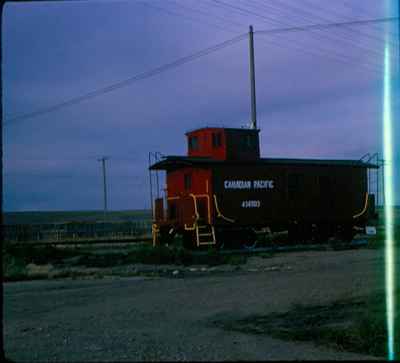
(319, 93)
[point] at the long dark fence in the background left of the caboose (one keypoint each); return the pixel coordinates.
(76, 230)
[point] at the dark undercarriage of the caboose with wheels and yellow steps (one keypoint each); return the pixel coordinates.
(225, 232)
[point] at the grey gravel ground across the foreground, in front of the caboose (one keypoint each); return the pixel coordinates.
(172, 318)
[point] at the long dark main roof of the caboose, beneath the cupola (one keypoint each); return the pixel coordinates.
(177, 162)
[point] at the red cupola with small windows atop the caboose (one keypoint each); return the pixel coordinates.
(224, 143)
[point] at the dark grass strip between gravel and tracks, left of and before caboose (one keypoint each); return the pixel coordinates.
(29, 262)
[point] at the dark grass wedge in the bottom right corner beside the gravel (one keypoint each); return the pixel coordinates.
(357, 326)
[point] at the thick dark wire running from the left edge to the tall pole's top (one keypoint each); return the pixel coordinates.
(128, 81)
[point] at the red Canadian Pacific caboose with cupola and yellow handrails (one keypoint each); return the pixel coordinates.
(223, 190)
